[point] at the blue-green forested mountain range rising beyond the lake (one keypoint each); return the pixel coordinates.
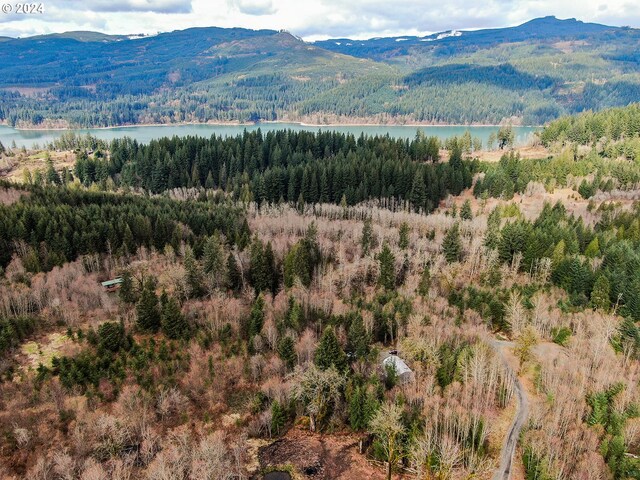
(526, 74)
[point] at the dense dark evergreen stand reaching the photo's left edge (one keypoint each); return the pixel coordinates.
(56, 225)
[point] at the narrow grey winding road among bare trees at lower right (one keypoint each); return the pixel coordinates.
(511, 440)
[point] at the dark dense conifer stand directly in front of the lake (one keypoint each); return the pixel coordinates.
(286, 166)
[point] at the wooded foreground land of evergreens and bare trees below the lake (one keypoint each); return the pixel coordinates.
(193, 306)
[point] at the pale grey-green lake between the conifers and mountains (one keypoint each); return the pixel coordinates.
(144, 134)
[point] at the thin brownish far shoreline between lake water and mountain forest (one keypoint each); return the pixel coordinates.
(274, 122)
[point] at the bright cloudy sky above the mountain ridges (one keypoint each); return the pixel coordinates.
(310, 19)
